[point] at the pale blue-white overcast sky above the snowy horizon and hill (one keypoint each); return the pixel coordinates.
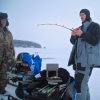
(24, 15)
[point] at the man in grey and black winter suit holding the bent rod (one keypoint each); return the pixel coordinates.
(85, 53)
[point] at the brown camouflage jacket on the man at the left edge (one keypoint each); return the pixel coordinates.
(7, 51)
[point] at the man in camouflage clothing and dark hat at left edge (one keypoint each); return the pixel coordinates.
(7, 52)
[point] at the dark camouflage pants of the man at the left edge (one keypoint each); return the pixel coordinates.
(3, 76)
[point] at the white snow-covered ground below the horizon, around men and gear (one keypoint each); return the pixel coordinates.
(60, 56)
